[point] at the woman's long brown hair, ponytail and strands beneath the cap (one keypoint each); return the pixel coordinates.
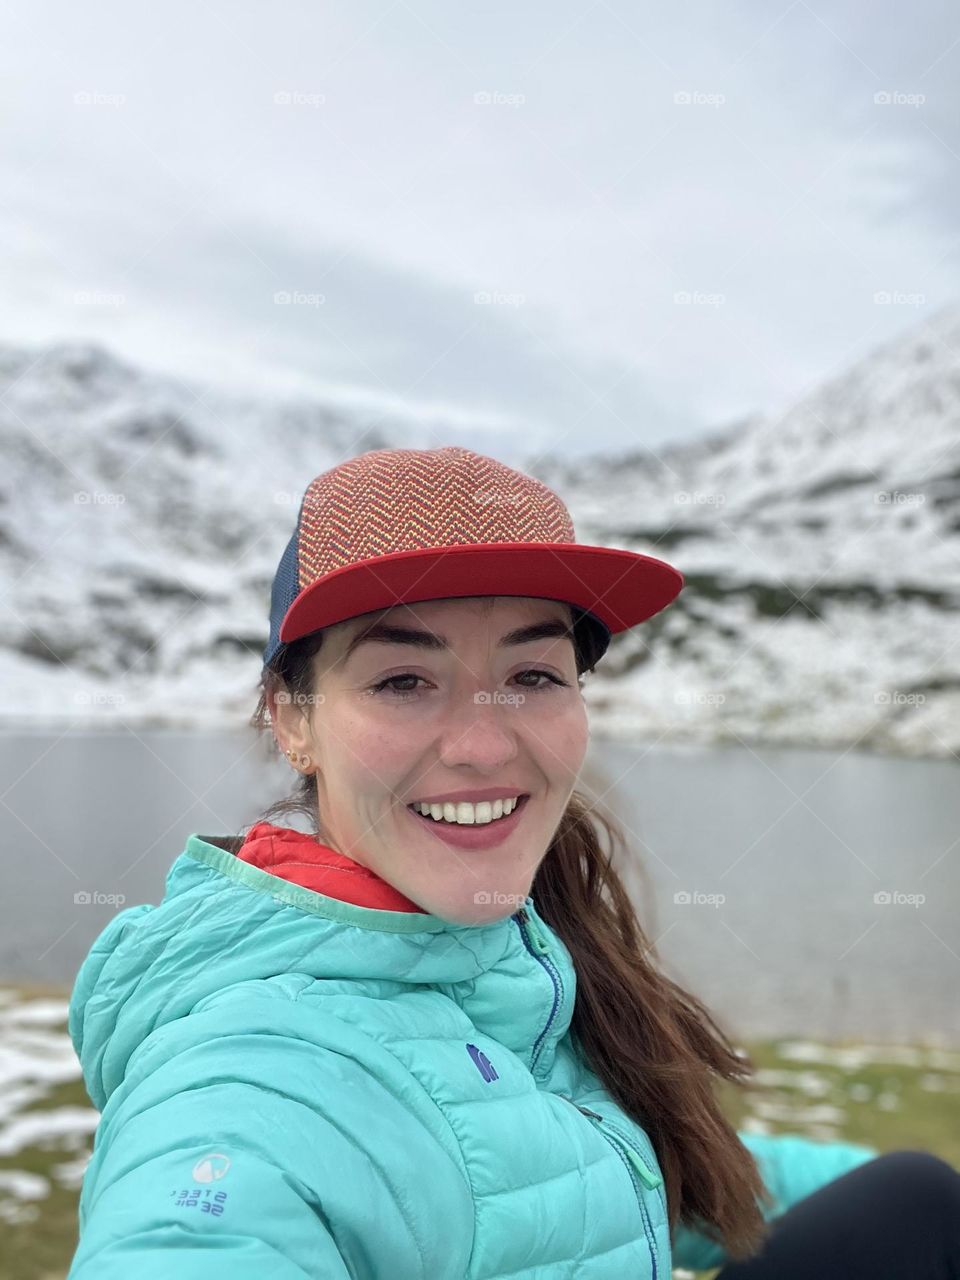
(655, 1046)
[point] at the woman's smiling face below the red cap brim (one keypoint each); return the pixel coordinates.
(463, 706)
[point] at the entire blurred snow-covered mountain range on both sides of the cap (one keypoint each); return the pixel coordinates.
(141, 520)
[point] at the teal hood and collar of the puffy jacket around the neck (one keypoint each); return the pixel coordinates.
(223, 922)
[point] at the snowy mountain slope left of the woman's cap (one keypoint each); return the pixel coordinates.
(141, 523)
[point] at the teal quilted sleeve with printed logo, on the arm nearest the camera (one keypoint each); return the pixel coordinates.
(258, 1137)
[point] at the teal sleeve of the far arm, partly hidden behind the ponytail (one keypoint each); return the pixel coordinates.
(792, 1167)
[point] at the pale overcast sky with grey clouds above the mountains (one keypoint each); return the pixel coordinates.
(168, 172)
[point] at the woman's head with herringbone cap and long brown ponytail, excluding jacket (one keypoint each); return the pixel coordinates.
(467, 685)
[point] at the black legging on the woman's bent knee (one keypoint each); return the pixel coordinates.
(897, 1218)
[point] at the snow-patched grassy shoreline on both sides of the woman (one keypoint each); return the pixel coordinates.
(886, 1096)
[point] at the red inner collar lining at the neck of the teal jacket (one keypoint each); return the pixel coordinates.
(304, 861)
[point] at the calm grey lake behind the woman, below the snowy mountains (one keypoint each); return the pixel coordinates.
(794, 892)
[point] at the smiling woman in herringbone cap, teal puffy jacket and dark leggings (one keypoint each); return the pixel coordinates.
(429, 1039)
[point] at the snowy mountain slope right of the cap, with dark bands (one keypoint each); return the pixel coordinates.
(822, 560)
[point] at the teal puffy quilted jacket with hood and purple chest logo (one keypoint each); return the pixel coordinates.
(298, 1087)
